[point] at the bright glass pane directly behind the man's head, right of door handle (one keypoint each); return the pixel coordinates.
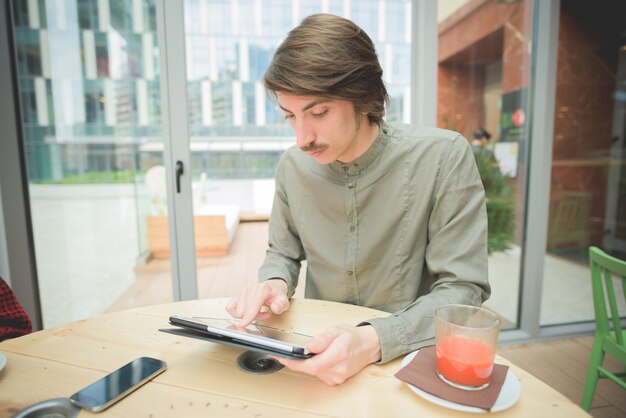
(237, 135)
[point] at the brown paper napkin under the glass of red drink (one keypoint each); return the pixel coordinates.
(421, 373)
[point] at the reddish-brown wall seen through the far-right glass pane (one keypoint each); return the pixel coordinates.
(584, 110)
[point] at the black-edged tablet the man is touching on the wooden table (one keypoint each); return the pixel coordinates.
(256, 336)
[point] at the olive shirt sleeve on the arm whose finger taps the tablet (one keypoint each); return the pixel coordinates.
(284, 255)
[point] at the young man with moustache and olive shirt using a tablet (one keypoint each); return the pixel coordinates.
(392, 218)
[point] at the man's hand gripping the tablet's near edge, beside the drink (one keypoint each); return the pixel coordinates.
(342, 351)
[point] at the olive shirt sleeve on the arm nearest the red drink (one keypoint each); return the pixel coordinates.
(455, 269)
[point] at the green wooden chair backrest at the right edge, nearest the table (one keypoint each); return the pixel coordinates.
(605, 268)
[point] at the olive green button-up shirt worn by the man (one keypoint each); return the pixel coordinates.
(402, 228)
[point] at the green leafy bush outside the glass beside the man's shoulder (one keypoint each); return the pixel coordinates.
(500, 204)
